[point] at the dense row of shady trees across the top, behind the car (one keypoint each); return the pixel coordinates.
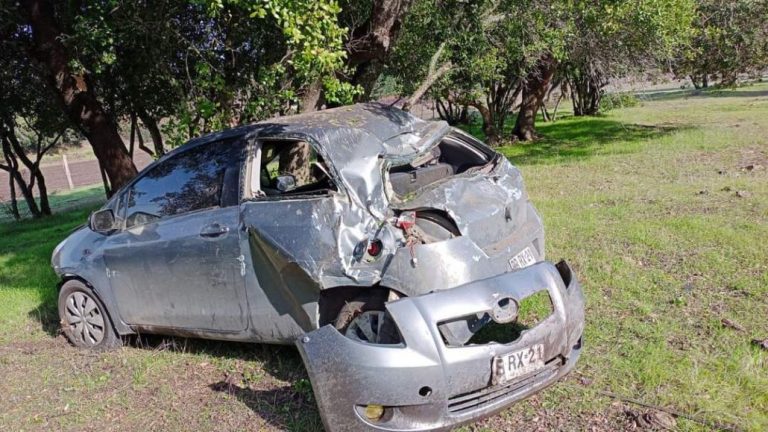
(178, 69)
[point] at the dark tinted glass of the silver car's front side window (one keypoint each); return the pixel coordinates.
(201, 178)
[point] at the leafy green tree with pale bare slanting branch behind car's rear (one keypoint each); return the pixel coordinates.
(491, 51)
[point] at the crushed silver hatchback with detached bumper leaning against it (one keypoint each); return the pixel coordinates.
(402, 257)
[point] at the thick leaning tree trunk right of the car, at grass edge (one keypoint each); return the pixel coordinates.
(534, 90)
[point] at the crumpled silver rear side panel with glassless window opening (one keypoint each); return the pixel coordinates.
(286, 245)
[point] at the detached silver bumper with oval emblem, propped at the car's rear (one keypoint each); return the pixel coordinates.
(426, 385)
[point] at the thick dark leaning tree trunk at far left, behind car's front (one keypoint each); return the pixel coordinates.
(79, 101)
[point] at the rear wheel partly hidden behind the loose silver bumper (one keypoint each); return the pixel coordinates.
(359, 312)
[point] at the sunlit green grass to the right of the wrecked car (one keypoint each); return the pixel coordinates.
(643, 202)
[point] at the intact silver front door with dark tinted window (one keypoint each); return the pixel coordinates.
(177, 262)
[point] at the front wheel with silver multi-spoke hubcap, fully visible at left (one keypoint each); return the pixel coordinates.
(84, 319)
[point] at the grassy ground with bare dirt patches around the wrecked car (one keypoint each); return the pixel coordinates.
(662, 209)
